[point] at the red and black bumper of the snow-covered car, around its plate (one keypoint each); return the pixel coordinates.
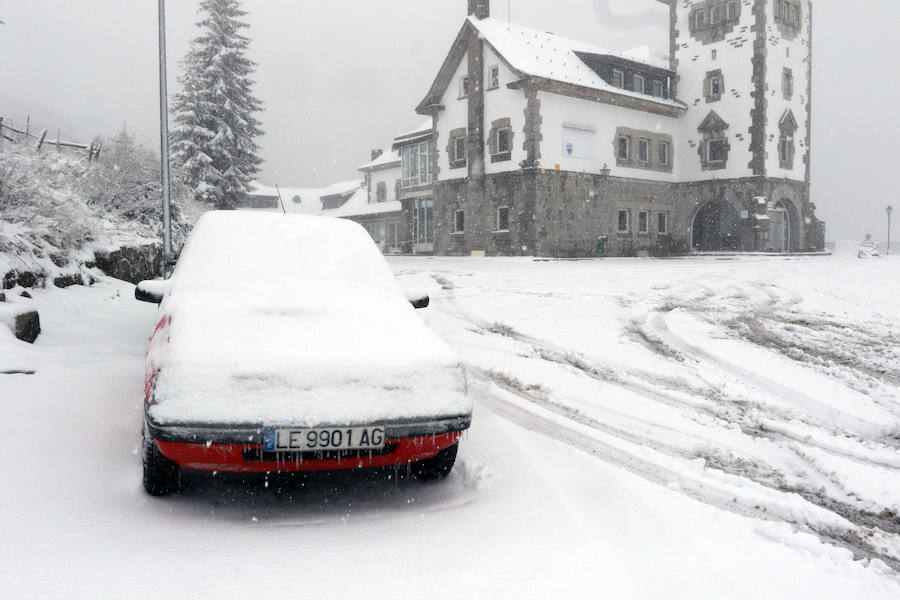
(240, 450)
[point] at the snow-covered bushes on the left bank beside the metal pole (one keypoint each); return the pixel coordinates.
(57, 210)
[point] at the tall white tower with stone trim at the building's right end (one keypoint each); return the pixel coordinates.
(744, 70)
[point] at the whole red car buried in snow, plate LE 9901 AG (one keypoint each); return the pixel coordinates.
(284, 344)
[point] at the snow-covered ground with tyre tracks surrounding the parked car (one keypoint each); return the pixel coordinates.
(644, 429)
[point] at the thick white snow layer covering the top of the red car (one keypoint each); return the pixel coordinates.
(302, 346)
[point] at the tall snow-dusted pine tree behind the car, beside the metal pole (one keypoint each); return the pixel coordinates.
(213, 141)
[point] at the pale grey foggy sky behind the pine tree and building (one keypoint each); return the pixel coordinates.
(340, 78)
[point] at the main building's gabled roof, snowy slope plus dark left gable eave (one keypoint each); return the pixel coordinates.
(534, 54)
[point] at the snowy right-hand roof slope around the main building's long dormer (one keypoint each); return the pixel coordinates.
(549, 56)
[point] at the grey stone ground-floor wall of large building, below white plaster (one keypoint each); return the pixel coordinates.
(562, 214)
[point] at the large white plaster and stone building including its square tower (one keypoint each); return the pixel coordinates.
(622, 154)
